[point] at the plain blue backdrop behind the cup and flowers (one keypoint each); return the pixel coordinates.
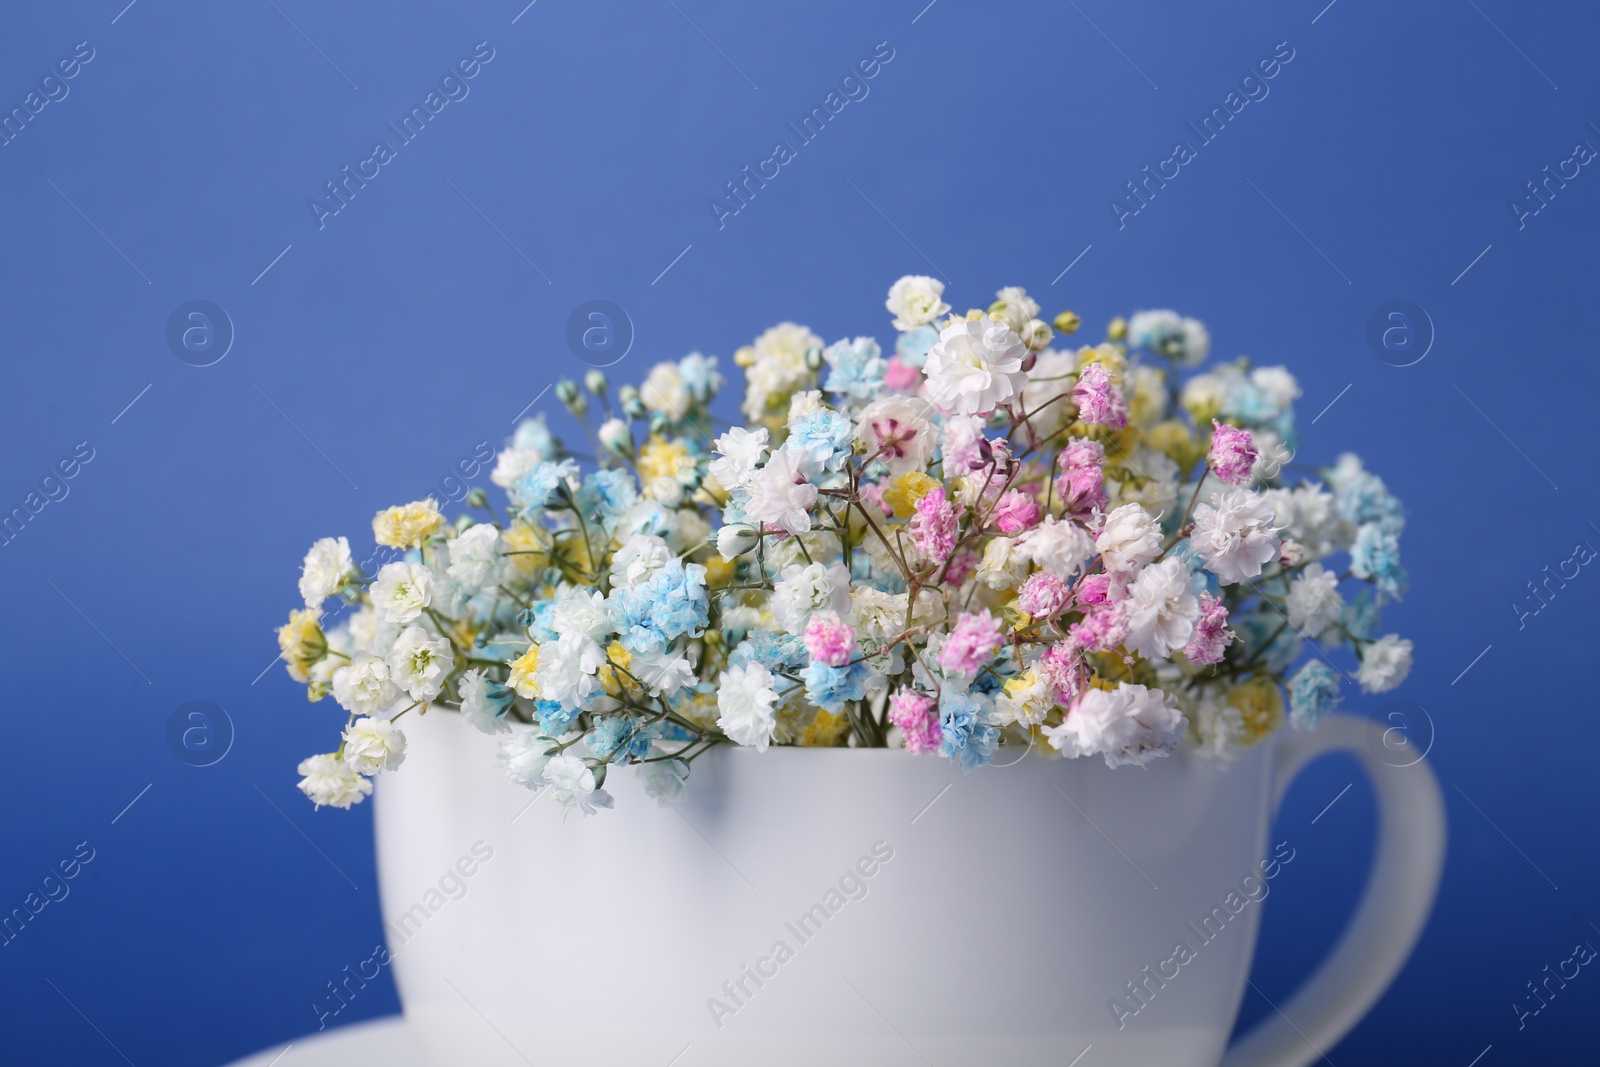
(417, 324)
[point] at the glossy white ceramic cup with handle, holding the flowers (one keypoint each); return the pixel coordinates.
(866, 906)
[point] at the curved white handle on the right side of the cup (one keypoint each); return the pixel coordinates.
(1394, 906)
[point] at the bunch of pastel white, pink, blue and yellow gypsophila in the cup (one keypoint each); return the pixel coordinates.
(977, 541)
